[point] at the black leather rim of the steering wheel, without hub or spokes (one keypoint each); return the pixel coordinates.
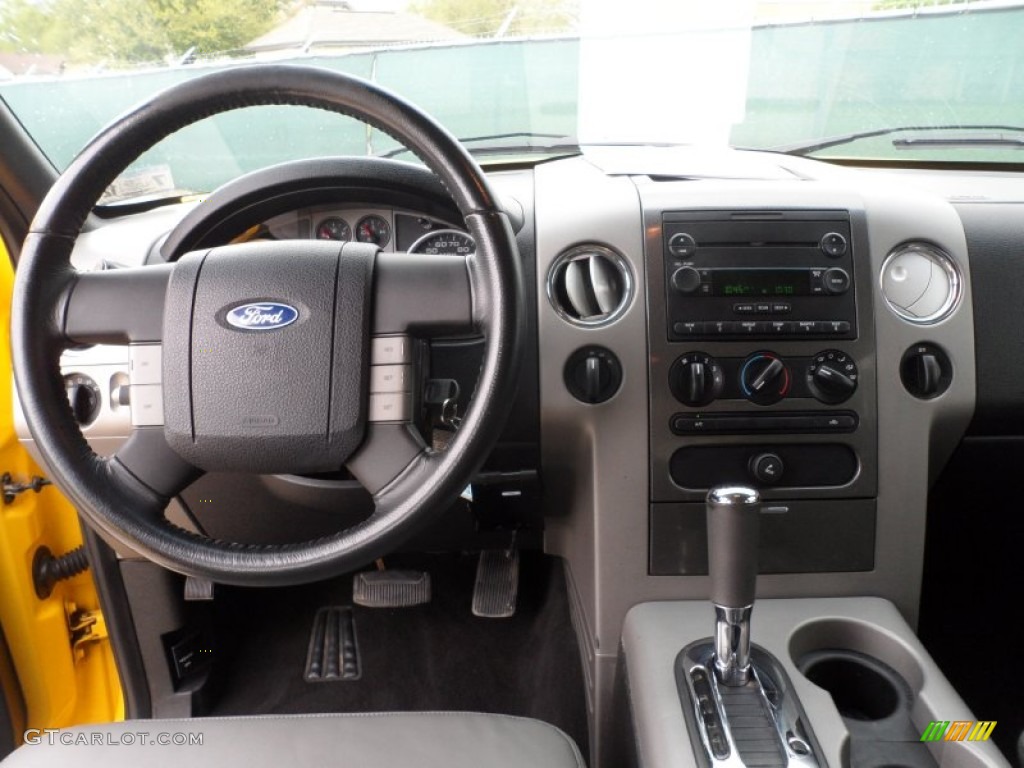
(113, 499)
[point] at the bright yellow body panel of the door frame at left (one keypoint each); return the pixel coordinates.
(61, 687)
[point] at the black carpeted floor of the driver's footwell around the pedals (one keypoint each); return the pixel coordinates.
(435, 657)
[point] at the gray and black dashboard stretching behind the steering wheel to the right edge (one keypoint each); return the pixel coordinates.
(754, 319)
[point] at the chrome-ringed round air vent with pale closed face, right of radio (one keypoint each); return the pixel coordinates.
(921, 283)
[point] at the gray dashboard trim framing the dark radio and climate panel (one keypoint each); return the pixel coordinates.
(596, 459)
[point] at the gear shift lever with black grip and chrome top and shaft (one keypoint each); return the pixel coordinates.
(734, 526)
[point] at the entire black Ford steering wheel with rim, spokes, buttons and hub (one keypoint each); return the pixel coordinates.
(267, 358)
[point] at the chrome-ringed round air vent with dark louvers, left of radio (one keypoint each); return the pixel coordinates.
(590, 286)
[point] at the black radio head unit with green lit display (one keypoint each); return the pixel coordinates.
(759, 276)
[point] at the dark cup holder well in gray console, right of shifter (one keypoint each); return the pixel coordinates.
(863, 689)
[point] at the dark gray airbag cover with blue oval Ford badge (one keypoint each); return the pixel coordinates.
(266, 356)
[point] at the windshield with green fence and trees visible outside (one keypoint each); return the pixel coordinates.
(903, 81)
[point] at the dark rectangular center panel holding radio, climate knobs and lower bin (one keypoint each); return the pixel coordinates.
(762, 372)
